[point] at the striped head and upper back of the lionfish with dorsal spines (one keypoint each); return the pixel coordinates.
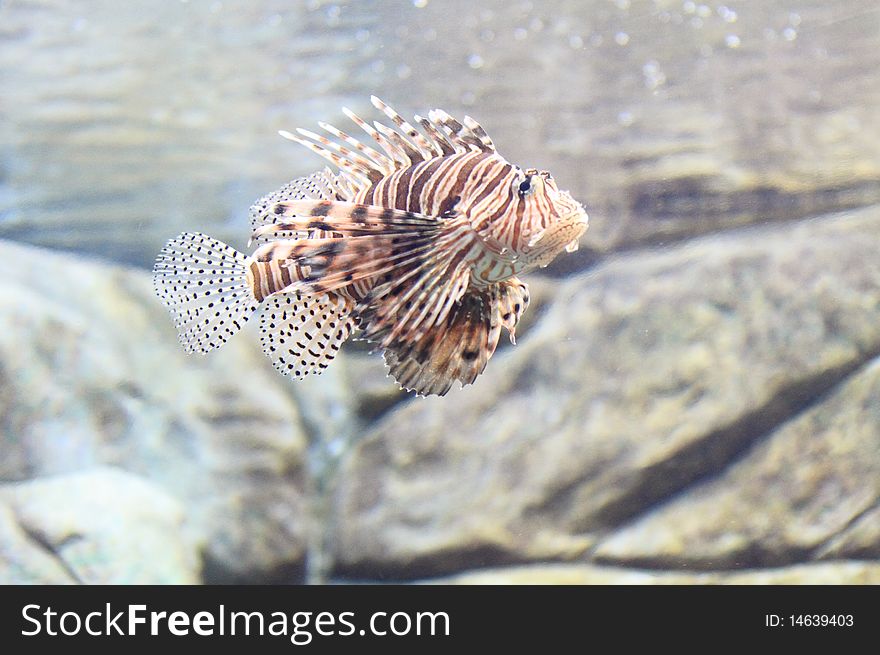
(455, 168)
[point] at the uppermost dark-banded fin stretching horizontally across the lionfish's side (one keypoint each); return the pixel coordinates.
(346, 218)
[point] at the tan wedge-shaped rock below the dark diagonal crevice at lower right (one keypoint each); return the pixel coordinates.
(813, 481)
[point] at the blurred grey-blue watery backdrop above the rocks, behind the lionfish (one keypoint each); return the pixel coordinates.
(663, 120)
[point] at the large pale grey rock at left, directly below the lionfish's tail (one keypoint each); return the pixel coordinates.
(91, 373)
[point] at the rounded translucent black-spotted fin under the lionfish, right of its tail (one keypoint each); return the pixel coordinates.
(302, 334)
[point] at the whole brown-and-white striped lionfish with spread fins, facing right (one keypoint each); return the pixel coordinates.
(418, 244)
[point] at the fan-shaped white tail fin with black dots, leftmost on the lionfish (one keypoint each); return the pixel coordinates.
(204, 285)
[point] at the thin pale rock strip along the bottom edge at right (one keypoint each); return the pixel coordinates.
(581, 574)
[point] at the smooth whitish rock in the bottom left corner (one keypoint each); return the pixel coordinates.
(99, 526)
